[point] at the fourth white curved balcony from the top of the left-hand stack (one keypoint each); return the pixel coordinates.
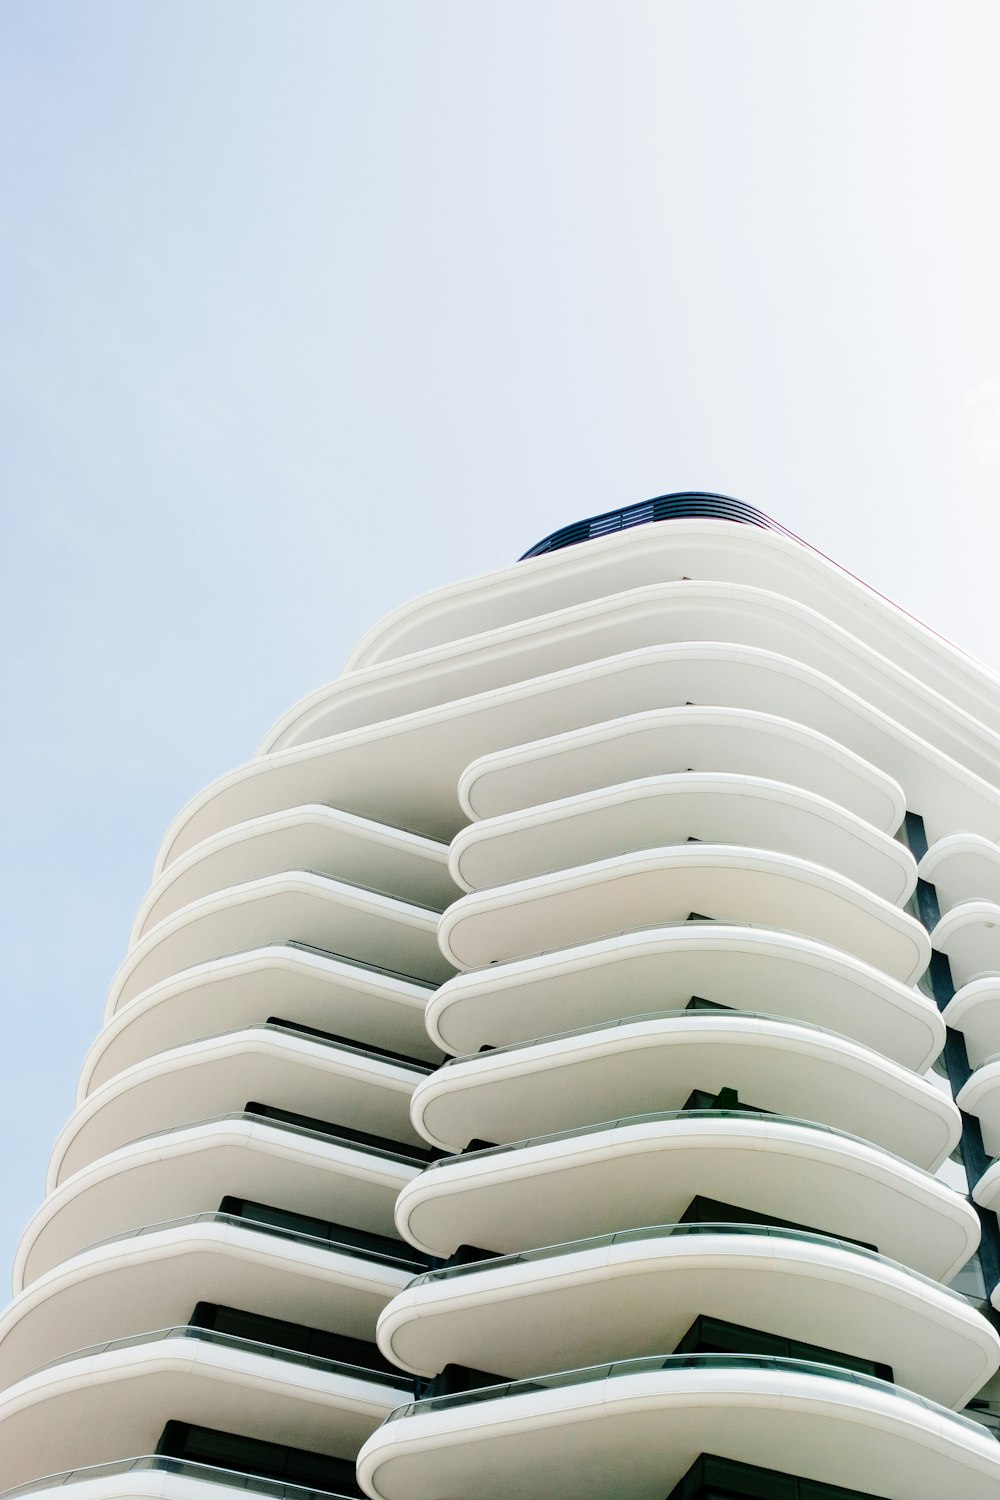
(218, 1075)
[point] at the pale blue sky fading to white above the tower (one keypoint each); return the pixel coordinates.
(307, 308)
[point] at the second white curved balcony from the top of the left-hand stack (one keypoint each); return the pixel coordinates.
(311, 908)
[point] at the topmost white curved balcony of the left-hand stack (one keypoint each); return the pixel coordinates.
(314, 838)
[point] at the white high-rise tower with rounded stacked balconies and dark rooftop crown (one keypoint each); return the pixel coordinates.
(563, 1063)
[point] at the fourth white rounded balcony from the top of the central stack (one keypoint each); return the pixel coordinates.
(738, 967)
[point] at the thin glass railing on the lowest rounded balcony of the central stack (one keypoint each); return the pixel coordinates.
(651, 1364)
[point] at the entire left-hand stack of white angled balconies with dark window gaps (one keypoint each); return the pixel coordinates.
(197, 1298)
